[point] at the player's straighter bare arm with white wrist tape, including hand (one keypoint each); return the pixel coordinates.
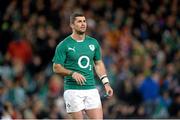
(101, 72)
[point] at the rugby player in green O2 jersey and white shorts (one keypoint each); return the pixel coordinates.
(75, 58)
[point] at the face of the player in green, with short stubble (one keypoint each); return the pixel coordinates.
(79, 25)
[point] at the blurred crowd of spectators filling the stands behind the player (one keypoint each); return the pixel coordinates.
(140, 42)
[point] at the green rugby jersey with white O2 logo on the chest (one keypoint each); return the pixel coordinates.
(79, 57)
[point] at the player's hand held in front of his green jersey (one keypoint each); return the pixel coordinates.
(80, 79)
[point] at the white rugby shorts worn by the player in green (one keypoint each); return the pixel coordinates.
(77, 100)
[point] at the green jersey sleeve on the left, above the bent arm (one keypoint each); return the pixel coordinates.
(60, 54)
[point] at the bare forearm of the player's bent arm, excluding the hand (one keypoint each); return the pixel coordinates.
(59, 69)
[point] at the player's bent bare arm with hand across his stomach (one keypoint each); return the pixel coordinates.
(59, 69)
